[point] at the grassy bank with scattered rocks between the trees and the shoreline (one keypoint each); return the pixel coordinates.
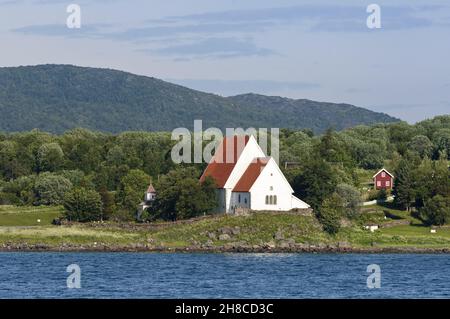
(19, 229)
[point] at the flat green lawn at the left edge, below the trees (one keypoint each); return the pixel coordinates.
(28, 216)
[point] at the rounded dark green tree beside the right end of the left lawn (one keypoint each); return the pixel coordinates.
(82, 205)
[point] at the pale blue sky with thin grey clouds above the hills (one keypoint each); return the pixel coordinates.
(320, 50)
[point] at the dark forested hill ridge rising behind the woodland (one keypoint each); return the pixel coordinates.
(56, 98)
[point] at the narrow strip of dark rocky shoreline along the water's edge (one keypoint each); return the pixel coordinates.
(228, 248)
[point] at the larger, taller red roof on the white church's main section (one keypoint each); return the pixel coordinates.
(221, 166)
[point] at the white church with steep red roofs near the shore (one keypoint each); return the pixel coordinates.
(247, 179)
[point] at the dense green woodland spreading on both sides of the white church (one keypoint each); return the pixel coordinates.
(100, 175)
